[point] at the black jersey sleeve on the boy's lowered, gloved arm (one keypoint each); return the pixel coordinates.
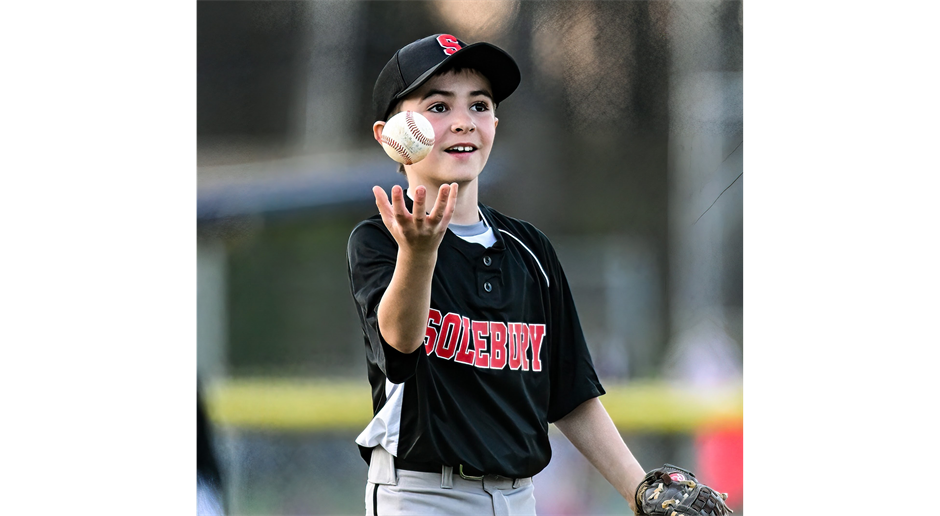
(573, 377)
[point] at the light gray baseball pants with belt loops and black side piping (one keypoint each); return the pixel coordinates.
(394, 492)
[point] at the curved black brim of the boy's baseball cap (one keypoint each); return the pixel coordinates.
(498, 66)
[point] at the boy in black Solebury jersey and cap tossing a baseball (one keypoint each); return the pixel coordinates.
(472, 338)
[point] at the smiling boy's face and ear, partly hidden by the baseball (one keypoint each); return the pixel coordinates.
(460, 107)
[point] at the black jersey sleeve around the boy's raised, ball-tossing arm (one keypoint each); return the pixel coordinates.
(371, 257)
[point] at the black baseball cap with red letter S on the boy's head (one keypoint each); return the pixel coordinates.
(416, 62)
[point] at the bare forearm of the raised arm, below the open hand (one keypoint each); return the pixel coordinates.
(403, 312)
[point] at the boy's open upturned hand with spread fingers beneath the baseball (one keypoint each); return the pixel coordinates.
(420, 232)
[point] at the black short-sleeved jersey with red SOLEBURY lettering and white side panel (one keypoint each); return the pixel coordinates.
(504, 352)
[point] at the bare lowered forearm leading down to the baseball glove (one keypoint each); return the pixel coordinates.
(593, 433)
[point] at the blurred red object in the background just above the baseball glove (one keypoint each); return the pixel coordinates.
(720, 463)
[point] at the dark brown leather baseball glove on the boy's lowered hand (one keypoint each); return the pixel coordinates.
(673, 491)
